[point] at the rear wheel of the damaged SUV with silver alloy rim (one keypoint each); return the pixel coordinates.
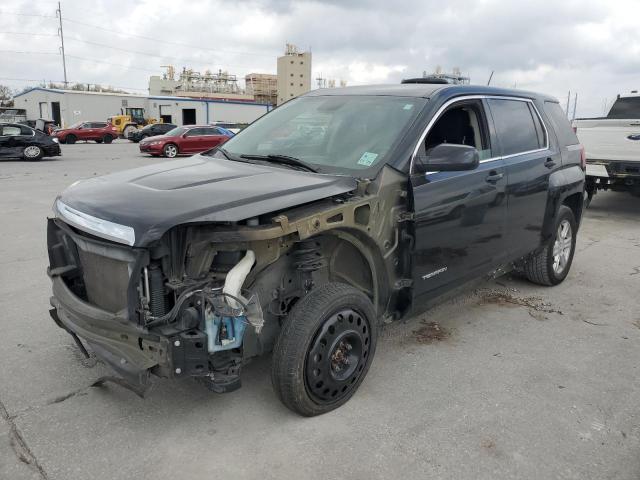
(551, 265)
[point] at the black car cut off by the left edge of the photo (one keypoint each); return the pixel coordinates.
(21, 141)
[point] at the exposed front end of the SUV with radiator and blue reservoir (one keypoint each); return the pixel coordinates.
(142, 311)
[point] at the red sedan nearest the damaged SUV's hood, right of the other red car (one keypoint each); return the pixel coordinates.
(189, 139)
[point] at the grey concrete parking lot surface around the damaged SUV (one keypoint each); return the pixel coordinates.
(509, 380)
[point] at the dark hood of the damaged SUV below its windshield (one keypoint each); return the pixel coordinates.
(153, 199)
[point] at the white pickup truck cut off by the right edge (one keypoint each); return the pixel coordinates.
(612, 147)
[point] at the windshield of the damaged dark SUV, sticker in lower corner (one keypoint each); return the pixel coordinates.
(332, 133)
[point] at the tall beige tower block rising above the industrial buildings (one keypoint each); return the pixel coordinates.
(294, 73)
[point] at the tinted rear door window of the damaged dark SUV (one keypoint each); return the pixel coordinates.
(517, 125)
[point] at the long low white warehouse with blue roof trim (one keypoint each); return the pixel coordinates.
(66, 107)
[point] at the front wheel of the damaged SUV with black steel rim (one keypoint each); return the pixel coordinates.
(334, 318)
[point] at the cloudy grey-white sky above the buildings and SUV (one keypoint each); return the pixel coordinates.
(591, 47)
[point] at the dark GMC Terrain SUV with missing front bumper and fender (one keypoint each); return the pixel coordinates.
(336, 212)
